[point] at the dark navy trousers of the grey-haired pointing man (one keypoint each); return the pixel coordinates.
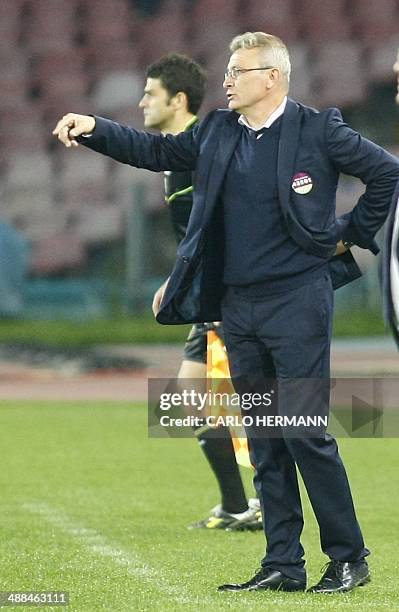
(286, 335)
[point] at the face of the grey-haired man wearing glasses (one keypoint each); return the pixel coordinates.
(249, 87)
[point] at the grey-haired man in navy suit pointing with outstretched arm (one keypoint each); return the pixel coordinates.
(261, 253)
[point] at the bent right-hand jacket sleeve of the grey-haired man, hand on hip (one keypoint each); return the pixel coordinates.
(375, 167)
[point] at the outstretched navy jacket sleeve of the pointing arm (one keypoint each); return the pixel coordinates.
(141, 149)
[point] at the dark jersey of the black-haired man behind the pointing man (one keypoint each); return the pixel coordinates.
(179, 196)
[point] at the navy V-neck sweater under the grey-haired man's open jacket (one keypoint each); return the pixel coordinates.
(258, 247)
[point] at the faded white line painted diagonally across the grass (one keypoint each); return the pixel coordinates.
(97, 544)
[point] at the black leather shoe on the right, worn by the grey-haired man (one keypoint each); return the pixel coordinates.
(340, 577)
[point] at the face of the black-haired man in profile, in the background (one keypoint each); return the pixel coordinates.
(158, 111)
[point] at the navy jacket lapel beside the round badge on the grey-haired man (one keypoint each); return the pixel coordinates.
(289, 137)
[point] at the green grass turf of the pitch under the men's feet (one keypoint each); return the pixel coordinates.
(91, 506)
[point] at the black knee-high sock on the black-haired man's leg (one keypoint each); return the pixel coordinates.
(218, 448)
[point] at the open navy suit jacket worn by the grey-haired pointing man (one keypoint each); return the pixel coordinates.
(319, 144)
